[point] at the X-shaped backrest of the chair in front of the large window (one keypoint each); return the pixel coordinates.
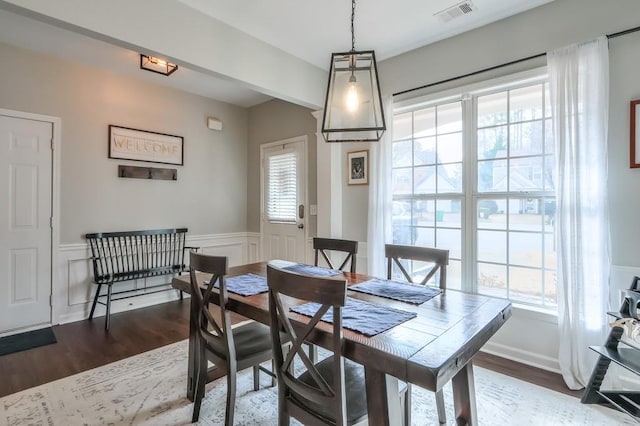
(438, 258)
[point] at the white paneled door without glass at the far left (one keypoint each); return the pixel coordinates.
(25, 223)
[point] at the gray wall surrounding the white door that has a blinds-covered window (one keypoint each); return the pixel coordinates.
(270, 122)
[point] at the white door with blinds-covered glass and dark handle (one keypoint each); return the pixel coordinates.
(284, 199)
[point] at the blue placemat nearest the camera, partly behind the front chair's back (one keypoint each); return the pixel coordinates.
(366, 318)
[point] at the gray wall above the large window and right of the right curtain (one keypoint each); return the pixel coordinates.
(547, 27)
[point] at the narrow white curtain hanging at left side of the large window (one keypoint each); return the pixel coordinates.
(379, 226)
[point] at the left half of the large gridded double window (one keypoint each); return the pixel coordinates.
(436, 168)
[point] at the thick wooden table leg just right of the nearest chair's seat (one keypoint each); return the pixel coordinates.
(383, 399)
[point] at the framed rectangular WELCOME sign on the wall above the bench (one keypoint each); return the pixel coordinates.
(142, 145)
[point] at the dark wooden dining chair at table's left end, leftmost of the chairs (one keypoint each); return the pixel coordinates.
(230, 349)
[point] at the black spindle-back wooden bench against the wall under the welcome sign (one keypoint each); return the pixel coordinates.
(132, 255)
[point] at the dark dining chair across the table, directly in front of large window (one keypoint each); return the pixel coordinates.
(438, 259)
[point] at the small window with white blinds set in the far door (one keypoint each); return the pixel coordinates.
(282, 191)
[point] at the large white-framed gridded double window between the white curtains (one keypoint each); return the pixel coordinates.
(475, 174)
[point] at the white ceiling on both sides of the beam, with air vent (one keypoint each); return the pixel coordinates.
(309, 30)
